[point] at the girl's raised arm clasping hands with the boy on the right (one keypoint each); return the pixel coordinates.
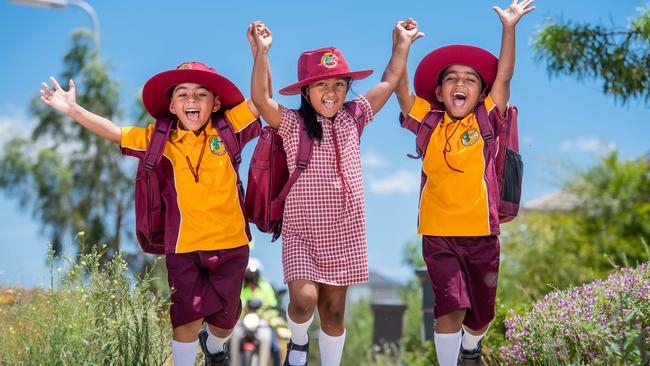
(404, 34)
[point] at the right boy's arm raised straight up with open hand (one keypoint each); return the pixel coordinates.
(509, 17)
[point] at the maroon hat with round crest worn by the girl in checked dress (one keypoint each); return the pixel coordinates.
(324, 63)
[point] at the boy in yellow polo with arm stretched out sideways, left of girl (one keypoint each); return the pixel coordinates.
(207, 236)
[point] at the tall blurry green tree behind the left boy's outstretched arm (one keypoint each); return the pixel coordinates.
(73, 180)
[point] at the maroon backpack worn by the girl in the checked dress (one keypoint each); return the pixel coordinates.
(269, 181)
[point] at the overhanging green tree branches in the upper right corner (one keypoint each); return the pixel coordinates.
(620, 57)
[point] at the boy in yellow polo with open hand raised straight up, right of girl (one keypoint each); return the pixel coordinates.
(458, 215)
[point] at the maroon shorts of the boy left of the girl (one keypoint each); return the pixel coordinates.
(207, 285)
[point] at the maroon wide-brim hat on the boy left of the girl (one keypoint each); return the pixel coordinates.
(155, 94)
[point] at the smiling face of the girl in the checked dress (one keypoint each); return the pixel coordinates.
(328, 95)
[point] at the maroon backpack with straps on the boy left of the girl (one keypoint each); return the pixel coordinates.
(149, 202)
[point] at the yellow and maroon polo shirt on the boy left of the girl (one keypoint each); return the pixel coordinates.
(210, 216)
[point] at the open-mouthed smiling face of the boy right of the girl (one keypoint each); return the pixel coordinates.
(460, 90)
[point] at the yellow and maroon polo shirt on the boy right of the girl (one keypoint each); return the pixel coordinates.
(455, 203)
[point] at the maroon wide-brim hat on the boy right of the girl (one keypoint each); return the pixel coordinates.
(428, 71)
